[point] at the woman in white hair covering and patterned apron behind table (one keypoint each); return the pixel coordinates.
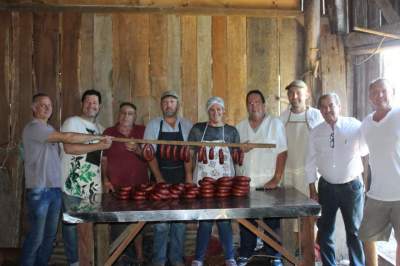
(215, 131)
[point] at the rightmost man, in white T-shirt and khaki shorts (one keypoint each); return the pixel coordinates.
(381, 130)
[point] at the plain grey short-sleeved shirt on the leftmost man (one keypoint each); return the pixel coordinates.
(42, 158)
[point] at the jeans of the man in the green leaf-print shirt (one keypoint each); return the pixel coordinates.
(70, 232)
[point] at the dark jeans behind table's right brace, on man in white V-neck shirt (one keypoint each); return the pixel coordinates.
(248, 240)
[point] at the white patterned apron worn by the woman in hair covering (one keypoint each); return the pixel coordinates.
(213, 168)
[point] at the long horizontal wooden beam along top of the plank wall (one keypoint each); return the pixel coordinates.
(186, 10)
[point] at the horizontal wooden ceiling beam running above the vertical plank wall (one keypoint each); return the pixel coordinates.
(258, 8)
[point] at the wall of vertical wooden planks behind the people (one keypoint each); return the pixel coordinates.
(134, 57)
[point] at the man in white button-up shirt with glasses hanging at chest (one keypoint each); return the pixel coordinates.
(335, 151)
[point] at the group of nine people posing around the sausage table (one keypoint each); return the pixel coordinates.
(310, 145)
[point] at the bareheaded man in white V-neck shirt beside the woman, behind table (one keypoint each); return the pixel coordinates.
(264, 166)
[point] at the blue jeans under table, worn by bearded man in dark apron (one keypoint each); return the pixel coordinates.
(175, 233)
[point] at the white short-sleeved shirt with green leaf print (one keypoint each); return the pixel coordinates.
(81, 173)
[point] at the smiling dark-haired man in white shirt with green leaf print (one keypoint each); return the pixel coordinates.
(81, 175)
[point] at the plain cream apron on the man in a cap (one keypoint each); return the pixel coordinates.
(297, 131)
